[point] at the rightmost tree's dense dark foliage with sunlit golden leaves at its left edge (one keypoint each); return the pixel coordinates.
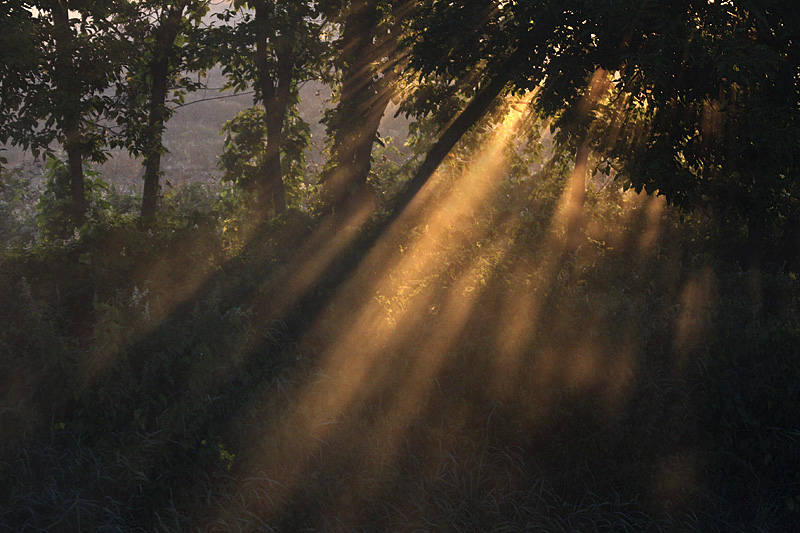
(719, 127)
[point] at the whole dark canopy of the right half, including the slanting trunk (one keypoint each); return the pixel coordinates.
(689, 98)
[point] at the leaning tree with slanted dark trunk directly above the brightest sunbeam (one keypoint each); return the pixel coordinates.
(473, 49)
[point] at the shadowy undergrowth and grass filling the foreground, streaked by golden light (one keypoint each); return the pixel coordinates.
(520, 368)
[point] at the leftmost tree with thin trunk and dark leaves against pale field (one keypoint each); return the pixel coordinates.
(58, 59)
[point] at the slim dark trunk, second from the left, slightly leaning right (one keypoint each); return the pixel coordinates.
(163, 55)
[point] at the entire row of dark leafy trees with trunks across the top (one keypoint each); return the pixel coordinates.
(696, 99)
